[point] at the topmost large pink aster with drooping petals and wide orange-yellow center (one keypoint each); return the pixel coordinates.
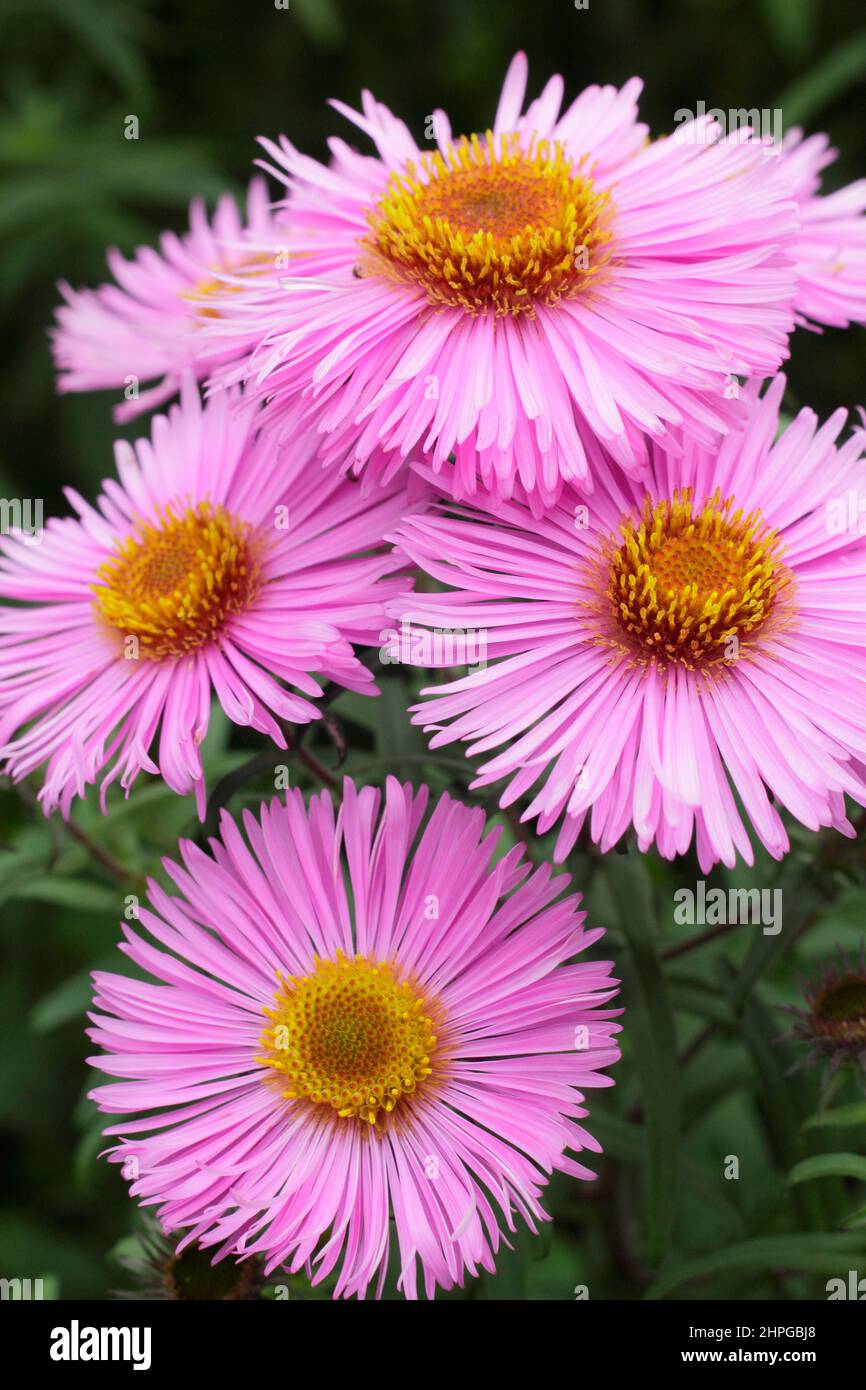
(526, 297)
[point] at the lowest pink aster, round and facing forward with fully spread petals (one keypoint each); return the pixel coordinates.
(358, 1020)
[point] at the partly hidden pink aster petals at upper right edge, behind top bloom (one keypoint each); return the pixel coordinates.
(832, 247)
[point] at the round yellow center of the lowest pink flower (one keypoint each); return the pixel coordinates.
(352, 1036)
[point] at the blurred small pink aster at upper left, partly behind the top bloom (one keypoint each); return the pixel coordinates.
(149, 323)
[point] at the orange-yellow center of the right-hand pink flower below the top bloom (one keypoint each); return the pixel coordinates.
(692, 587)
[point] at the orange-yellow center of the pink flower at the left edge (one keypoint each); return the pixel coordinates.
(174, 583)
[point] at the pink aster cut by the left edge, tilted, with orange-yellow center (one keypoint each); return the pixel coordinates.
(218, 564)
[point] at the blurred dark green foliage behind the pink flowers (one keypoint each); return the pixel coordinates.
(703, 1077)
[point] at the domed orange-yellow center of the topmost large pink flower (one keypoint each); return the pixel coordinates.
(491, 227)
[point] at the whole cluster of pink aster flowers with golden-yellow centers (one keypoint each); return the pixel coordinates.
(537, 366)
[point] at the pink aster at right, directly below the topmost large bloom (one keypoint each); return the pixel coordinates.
(662, 647)
